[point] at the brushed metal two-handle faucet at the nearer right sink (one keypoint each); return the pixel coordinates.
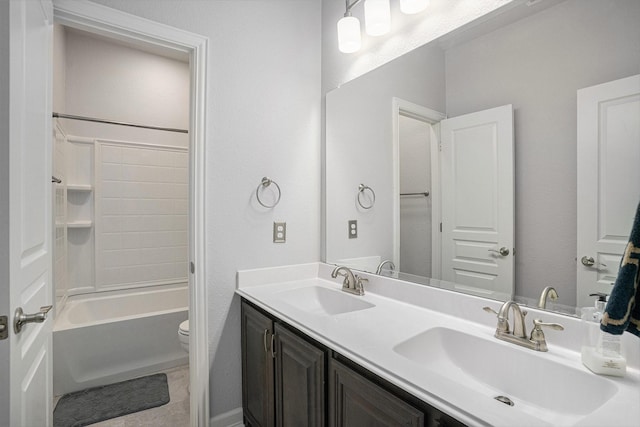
(536, 341)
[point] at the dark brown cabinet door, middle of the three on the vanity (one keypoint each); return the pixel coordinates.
(299, 381)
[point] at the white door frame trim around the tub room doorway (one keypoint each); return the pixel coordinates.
(129, 29)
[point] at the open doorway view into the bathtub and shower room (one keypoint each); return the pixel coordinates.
(121, 117)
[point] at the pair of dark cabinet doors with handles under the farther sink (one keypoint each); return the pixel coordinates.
(282, 374)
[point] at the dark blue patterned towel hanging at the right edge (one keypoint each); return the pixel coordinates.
(623, 308)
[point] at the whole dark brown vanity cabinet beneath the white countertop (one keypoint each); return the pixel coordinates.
(289, 380)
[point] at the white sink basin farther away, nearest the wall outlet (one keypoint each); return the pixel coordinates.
(323, 301)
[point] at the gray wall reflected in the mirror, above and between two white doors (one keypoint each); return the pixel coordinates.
(538, 65)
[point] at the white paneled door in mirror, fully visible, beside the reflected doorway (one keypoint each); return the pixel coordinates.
(478, 202)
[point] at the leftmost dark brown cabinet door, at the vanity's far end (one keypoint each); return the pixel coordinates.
(257, 368)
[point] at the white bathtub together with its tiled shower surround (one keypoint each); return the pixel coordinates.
(121, 260)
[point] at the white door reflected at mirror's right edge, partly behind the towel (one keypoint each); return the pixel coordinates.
(608, 181)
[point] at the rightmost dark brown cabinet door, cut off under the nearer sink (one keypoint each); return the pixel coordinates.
(355, 401)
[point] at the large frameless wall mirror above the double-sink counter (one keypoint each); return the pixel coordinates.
(477, 135)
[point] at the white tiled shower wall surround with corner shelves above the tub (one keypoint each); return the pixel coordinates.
(125, 217)
